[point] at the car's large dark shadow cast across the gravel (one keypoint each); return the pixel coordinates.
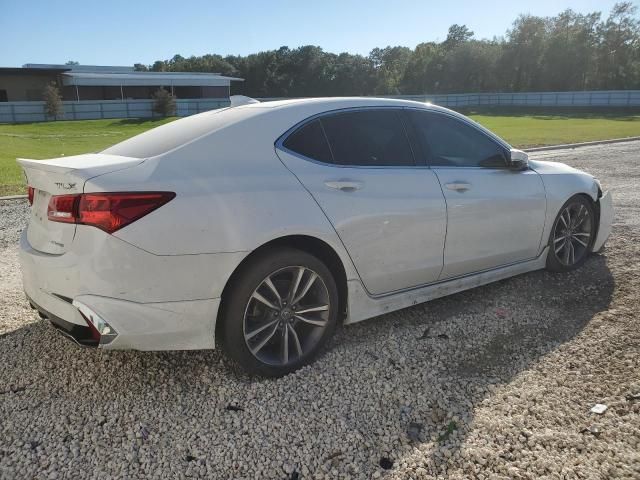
(410, 379)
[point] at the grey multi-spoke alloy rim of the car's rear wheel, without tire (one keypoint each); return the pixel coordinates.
(286, 315)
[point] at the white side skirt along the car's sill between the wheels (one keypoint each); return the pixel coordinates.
(362, 306)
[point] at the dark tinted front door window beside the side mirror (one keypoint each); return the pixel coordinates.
(450, 142)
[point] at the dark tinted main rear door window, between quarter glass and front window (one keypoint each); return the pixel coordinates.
(368, 138)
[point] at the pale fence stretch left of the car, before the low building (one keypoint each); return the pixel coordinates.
(11, 112)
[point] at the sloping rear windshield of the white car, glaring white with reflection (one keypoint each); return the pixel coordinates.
(175, 134)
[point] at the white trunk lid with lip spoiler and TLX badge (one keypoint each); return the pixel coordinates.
(62, 176)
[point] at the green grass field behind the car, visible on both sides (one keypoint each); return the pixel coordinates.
(54, 139)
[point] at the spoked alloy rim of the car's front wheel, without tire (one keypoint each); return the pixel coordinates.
(572, 234)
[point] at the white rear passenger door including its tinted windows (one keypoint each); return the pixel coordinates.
(389, 214)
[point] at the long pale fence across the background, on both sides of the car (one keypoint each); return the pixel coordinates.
(93, 109)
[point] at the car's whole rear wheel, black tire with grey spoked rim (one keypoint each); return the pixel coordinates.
(242, 314)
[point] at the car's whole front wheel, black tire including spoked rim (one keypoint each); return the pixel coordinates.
(572, 235)
